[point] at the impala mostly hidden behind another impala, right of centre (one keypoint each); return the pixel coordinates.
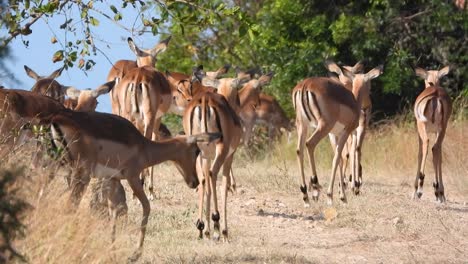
(366, 110)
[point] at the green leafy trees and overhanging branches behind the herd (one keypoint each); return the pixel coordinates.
(290, 37)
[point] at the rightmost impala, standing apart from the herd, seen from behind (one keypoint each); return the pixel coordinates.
(432, 110)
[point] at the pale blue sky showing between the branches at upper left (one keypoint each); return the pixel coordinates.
(110, 38)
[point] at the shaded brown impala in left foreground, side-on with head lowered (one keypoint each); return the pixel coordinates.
(95, 147)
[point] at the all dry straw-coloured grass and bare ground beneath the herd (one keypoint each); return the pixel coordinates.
(268, 223)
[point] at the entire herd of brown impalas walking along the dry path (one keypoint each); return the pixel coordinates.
(218, 115)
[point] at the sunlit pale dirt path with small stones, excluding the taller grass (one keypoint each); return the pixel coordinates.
(383, 225)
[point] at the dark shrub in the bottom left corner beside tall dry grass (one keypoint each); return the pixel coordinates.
(11, 211)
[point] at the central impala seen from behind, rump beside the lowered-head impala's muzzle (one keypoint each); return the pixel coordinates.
(210, 112)
